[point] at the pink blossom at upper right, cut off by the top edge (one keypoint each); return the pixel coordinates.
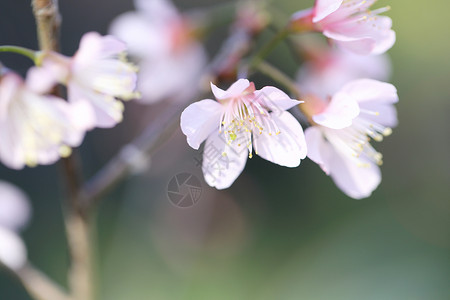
(350, 24)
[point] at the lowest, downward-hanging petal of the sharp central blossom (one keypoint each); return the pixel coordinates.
(222, 163)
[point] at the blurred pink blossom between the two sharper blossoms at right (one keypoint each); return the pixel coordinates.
(327, 72)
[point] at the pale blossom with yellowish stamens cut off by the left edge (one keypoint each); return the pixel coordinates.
(34, 129)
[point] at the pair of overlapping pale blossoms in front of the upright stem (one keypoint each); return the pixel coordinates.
(38, 127)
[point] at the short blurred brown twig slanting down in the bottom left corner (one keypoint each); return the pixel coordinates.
(39, 286)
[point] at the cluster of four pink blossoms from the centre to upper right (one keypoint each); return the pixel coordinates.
(344, 99)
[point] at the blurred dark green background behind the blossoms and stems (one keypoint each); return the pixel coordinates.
(278, 233)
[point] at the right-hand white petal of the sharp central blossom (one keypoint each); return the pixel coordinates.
(286, 148)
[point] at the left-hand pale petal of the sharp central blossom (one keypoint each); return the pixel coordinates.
(199, 120)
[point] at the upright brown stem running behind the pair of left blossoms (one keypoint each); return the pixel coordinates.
(77, 224)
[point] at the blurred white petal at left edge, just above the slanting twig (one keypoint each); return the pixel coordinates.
(13, 252)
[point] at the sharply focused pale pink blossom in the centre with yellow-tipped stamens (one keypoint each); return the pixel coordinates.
(241, 119)
